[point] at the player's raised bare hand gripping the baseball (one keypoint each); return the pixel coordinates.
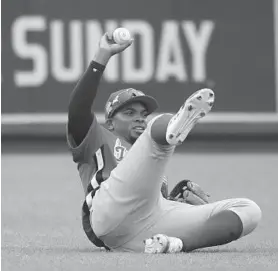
(107, 49)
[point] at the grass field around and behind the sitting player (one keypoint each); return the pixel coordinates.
(41, 198)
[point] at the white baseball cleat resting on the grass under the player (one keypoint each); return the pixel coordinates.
(161, 243)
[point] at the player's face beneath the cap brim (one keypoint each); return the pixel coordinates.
(130, 122)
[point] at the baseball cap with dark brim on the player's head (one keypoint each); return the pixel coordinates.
(125, 96)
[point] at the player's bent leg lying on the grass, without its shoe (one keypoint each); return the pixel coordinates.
(207, 225)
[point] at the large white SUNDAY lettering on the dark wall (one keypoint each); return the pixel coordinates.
(156, 54)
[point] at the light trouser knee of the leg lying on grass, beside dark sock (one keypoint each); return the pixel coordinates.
(249, 213)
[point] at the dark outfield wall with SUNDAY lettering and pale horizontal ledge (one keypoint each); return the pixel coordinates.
(180, 46)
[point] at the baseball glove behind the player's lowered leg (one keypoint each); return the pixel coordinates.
(189, 192)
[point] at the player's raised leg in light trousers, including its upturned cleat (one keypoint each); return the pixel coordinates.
(133, 190)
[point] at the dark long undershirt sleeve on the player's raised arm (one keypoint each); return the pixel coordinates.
(80, 116)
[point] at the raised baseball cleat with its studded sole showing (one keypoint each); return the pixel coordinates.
(194, 108)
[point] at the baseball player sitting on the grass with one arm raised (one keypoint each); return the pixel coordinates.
(122, 171)
